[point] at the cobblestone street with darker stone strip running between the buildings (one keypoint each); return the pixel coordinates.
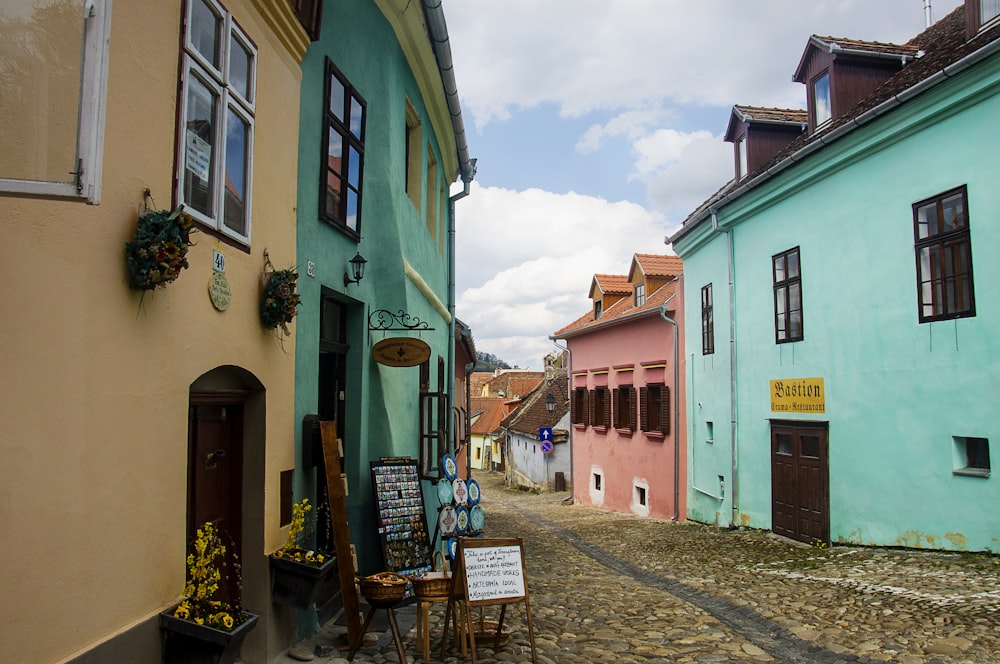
(607, 587)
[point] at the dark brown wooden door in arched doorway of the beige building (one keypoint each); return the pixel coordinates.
(215, 477)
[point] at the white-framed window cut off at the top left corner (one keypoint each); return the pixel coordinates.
(53, 83)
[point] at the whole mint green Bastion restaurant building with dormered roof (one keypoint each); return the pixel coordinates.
(843, 287)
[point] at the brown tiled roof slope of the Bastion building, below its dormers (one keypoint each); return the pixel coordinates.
(942, 44)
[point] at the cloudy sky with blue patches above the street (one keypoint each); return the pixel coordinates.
(597, 125)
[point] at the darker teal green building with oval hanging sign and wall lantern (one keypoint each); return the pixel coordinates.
(381, 142)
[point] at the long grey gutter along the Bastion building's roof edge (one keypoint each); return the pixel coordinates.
(839, 132)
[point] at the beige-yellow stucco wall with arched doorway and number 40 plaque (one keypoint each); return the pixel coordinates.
(94, 445)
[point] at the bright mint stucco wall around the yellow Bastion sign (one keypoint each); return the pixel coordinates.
(897, 391)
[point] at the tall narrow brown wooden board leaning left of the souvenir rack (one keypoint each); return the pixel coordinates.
(341, 531)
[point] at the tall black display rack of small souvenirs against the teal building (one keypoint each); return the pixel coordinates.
(406, 542)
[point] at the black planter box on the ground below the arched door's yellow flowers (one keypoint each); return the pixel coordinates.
(186, 642)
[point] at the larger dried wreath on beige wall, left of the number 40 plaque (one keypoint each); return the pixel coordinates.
(158, 250)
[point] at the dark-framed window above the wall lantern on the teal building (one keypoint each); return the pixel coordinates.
(342, 170)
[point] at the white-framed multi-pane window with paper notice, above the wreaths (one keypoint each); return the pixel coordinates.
(215, 135)
